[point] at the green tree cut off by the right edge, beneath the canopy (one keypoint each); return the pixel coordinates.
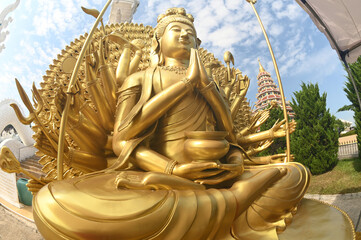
(351, 95)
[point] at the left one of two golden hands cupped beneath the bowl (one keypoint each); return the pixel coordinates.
(197, 170)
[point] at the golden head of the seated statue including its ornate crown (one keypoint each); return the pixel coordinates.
(174, 35)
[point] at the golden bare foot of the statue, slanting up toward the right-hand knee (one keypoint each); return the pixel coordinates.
(248, 190)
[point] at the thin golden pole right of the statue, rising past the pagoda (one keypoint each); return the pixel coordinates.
(288, 145)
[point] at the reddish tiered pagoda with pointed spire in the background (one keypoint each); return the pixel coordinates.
(269, 92)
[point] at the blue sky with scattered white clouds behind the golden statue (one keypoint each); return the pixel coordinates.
(41, 28)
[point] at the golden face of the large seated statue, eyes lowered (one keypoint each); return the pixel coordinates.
(177, 40)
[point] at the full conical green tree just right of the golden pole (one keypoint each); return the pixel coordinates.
(315, 141)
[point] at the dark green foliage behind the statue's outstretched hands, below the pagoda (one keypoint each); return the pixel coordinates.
(279, 144)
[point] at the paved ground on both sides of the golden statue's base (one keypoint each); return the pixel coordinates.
(13, 227)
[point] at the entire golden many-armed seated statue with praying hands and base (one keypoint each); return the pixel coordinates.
(161, 144)
